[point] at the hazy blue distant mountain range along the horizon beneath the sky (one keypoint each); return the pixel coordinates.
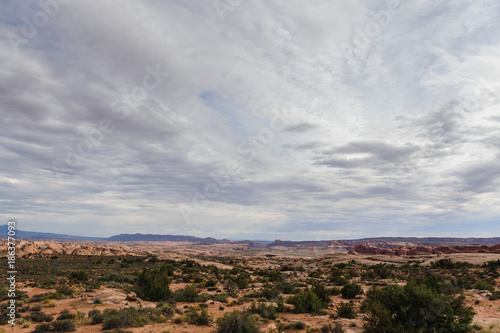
(382, 242)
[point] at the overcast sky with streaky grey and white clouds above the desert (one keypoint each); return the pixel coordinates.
(281, 119)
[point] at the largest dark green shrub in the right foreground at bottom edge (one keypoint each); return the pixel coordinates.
(415, 308)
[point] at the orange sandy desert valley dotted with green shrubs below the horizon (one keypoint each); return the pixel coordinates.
(326, 286)
